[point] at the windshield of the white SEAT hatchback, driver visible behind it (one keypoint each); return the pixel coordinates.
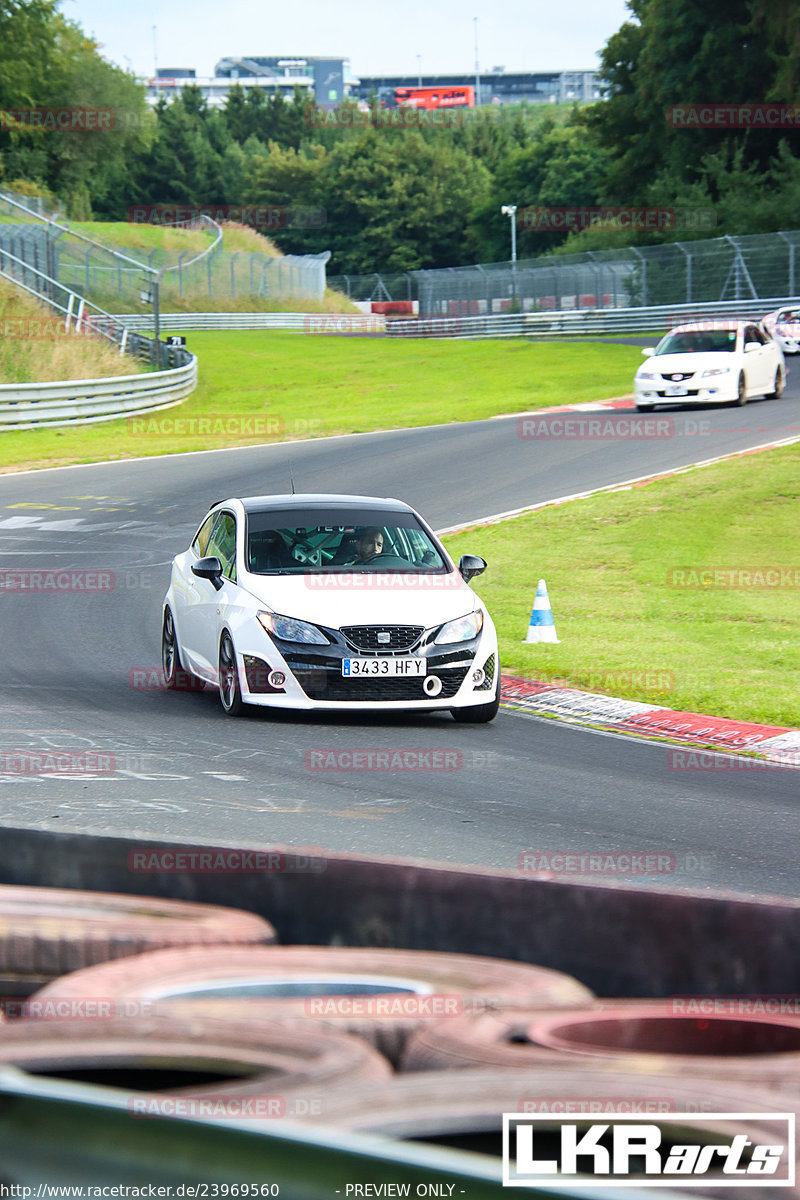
(291, 542)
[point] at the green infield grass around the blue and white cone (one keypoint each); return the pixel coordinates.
(627, 626)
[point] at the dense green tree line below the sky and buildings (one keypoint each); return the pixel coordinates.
(395, 197)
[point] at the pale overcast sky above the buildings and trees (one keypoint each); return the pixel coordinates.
(378, 37)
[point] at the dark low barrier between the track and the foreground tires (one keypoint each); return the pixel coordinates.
(618, 943)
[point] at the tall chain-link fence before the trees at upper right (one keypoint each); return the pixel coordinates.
(732, 268)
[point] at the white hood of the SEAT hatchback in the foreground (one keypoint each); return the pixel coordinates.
(364, 599)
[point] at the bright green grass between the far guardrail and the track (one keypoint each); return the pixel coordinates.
(299, 386)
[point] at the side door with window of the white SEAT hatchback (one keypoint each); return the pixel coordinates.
(204, 614)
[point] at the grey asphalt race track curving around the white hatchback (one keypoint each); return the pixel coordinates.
(173, 767)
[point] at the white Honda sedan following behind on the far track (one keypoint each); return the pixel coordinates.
(711, 363)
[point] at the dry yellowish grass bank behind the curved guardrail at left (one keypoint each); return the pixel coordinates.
(34, 347)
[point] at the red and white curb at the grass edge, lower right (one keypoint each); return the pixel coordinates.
(775, 743)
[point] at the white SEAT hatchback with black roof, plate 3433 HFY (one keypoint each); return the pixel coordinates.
(329, 603)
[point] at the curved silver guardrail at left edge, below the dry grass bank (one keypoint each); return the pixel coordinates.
(83, 401)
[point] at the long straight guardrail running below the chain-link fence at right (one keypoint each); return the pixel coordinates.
(582, 323)
